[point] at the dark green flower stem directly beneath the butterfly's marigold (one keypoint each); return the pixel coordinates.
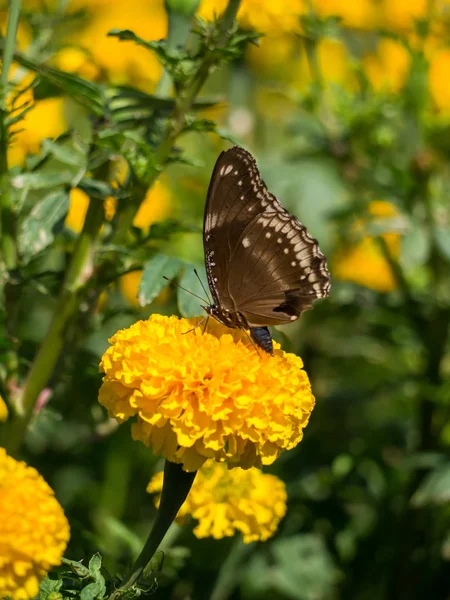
(176, 486)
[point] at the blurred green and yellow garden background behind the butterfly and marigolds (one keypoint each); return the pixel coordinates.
(346, 107)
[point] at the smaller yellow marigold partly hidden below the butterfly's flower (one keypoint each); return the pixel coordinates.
(224, 501)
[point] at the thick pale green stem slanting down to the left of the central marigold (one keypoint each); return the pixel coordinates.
(78, 273)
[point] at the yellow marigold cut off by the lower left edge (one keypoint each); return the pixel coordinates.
(33, 529)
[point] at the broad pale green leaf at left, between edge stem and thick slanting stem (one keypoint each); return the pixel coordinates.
(46, 219)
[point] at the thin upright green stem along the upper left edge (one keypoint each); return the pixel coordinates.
(7, 216)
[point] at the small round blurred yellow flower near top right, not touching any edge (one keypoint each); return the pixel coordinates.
(387, 68)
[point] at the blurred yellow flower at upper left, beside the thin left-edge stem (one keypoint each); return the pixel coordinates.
(44, 120)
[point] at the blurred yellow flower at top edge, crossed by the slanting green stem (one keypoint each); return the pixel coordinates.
(265, 16)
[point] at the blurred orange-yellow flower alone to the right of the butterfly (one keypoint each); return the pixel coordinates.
(364, 262)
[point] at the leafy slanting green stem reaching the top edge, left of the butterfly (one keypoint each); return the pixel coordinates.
(176, 122)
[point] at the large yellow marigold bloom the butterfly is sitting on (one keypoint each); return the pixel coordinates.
(200, 396)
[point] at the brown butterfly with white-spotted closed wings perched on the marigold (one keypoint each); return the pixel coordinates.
(262, 265)
